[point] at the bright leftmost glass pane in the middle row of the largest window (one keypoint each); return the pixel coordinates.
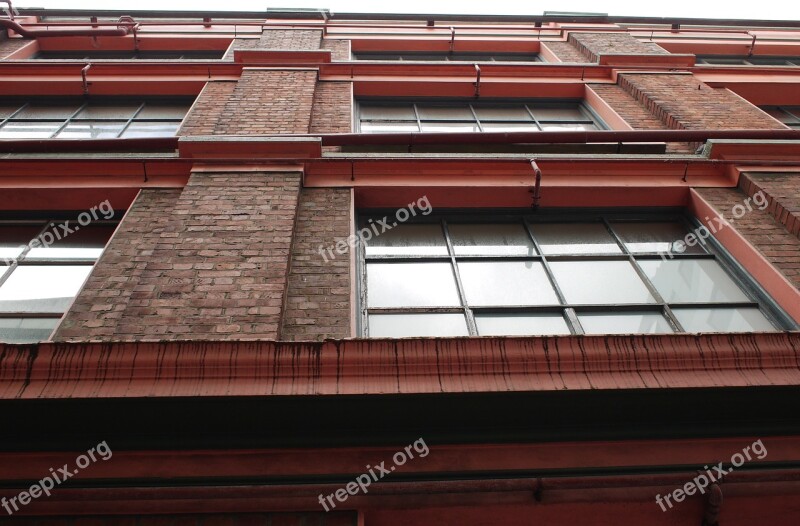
(411, 285)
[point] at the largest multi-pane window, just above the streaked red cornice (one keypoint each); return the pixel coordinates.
(464, 275)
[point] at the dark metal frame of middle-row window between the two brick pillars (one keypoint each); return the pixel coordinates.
(591, 116)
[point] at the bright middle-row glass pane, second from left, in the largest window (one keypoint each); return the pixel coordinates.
(497, 283)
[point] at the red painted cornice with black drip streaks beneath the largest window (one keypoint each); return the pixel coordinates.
(376, 366)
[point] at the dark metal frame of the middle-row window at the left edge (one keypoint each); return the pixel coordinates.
(83, 103)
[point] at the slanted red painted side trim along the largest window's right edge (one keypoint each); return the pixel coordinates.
(775, 283)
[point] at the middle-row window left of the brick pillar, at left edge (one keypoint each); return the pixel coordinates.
(92, 119)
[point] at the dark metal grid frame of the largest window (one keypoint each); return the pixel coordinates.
(756, 296)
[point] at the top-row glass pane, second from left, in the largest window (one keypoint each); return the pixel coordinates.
(490, 240)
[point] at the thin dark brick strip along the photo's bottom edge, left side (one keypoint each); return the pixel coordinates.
(228, 519)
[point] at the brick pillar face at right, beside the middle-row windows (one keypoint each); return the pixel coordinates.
(683, 102)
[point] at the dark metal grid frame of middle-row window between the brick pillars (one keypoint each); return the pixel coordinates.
(591, 117)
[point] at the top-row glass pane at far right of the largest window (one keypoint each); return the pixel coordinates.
(658, 238)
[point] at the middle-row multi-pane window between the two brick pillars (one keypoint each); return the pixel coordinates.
(390, 117)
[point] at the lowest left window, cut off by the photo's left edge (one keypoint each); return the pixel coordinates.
(38, 281)
